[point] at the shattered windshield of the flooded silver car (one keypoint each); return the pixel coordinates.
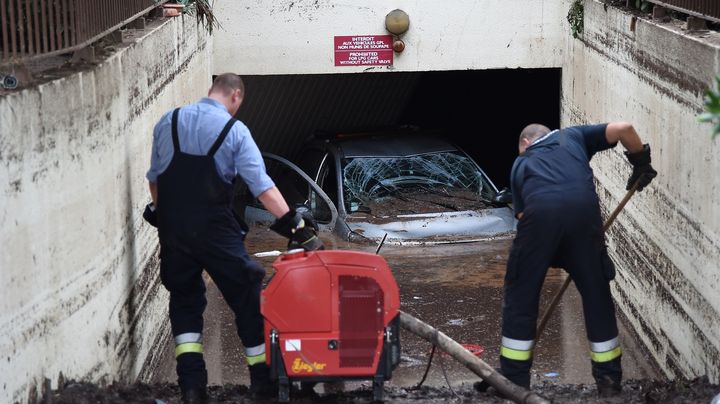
(417, 184)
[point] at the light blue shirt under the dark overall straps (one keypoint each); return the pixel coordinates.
(199, 125)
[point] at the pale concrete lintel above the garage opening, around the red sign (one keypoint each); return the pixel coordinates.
(296, 36)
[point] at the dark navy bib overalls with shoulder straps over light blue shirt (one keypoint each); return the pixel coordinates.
(198, 231)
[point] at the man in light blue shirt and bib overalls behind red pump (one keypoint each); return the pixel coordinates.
(197, 152)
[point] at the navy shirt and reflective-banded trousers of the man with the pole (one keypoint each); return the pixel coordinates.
(552, 185)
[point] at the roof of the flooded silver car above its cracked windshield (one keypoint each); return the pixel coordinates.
(393, 146)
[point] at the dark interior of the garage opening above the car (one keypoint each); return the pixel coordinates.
(483, 111)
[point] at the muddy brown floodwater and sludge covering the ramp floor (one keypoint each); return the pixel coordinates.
(462, 296)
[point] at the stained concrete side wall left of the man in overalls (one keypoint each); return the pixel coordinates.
(79, 291)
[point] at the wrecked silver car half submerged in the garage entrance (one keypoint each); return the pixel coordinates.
(408, 189)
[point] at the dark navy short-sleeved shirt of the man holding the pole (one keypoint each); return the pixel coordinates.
(558, 163)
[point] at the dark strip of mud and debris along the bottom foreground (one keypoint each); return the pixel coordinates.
(634, 391)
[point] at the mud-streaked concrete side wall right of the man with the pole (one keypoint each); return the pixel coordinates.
(666, 241)
